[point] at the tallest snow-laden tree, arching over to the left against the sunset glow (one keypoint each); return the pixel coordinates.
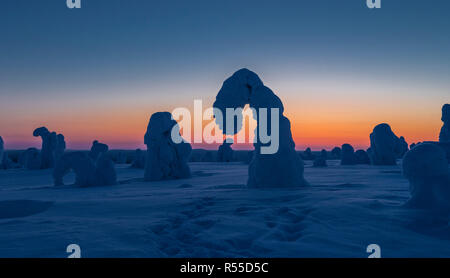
(284, 168)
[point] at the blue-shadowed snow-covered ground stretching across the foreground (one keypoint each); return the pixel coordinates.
(213, 214)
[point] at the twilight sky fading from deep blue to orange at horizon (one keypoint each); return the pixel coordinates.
(99, 72)
